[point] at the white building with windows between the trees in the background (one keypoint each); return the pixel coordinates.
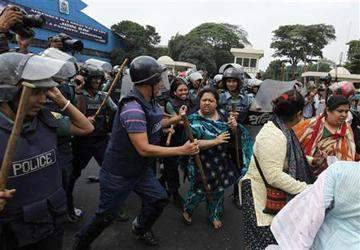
(248, 58)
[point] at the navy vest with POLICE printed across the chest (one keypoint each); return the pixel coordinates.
(36, 176)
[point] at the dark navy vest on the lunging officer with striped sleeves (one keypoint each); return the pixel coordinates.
(121, 157)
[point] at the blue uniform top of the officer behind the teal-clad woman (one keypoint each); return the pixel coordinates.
(242, 105)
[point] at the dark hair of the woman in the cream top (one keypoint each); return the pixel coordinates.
(288, 104)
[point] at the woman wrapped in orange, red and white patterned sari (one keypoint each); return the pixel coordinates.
(328, 134)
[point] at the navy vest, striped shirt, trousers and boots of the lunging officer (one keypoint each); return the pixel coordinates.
(124, 170)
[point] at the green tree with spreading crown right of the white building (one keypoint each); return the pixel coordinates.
(298, 43)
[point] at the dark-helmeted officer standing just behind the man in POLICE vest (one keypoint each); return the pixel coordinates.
(94, 144)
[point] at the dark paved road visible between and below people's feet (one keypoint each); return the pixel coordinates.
(174, 235)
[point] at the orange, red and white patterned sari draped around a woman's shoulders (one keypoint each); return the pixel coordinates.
(341, 144)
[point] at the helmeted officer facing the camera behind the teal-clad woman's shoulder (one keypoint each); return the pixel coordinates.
(233, 83)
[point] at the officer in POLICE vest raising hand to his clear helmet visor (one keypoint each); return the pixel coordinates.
(32, 218)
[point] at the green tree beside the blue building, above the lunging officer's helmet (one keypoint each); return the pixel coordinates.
(138, 40)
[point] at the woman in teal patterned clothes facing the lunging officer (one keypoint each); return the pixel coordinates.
(213, 133)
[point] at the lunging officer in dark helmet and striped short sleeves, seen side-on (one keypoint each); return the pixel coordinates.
(127, 165)
